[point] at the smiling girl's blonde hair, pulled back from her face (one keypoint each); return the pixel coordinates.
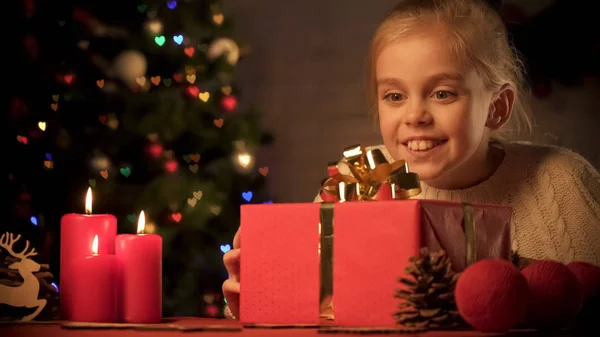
(477, 36)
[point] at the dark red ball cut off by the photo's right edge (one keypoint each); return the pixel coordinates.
(588, 276)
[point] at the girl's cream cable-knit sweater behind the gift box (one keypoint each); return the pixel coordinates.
(555, 196)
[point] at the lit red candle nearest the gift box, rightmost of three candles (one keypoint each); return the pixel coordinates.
(140, 269)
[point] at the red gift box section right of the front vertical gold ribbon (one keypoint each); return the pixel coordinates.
(373, 242)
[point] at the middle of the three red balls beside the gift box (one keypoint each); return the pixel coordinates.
(556, 296)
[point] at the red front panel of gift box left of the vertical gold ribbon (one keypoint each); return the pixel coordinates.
(280, 264)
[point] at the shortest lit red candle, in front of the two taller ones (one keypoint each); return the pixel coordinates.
(94, 288)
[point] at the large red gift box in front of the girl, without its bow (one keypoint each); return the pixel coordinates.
(372, 244)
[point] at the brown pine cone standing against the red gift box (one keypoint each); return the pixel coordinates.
(428, 295)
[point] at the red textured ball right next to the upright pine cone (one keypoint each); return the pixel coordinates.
(492, 295)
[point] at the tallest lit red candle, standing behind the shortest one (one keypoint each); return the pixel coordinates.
(77, 232)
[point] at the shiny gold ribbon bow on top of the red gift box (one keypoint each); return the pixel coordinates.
(371, 174)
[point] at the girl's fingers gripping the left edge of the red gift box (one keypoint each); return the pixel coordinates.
(231, 286)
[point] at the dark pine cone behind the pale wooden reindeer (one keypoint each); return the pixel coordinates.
(12, 278)
